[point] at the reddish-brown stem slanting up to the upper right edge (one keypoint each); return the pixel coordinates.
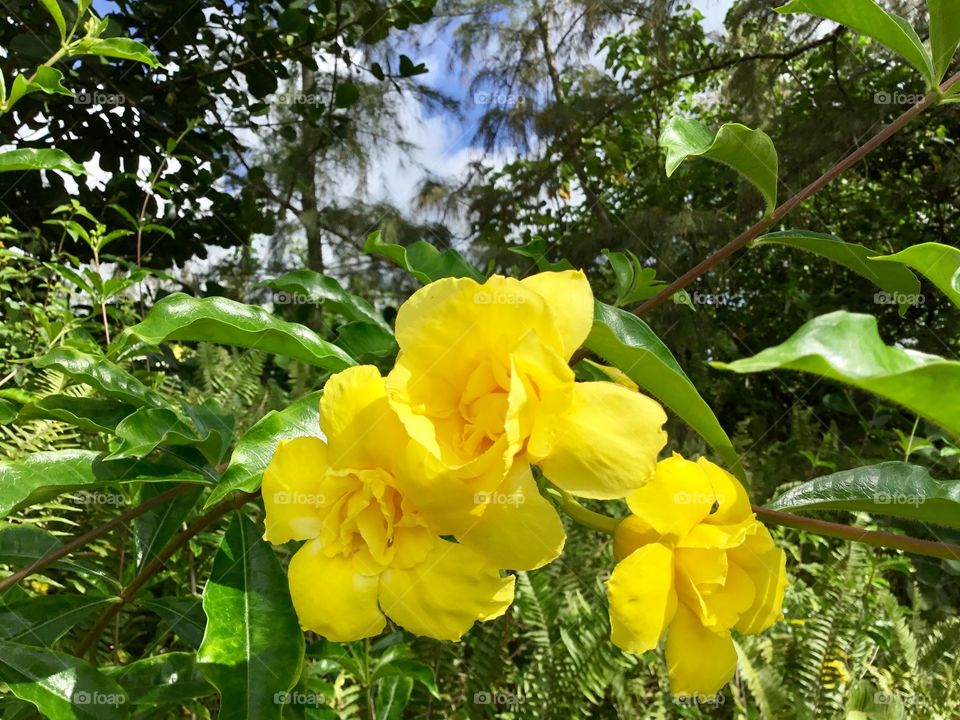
(829, 176)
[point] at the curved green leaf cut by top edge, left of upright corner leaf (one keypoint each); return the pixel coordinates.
(866, 17)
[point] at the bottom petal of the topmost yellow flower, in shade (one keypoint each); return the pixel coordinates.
(519, 529)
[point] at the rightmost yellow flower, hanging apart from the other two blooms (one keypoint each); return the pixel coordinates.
(694, 558)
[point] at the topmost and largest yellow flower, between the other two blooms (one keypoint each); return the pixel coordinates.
(483, 382)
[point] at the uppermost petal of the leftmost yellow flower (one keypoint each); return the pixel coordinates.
(361, 429)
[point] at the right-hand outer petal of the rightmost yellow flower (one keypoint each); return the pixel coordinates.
(766, 564)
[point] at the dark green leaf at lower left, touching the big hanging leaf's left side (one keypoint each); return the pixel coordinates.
(162, 679)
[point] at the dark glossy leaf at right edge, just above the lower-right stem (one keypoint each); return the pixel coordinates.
(890, 488)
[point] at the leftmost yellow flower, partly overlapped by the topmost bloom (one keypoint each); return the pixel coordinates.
(369, 552)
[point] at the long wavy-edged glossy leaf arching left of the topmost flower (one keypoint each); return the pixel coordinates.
(223, 321)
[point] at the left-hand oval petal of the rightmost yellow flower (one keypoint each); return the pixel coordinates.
(642, 598)
